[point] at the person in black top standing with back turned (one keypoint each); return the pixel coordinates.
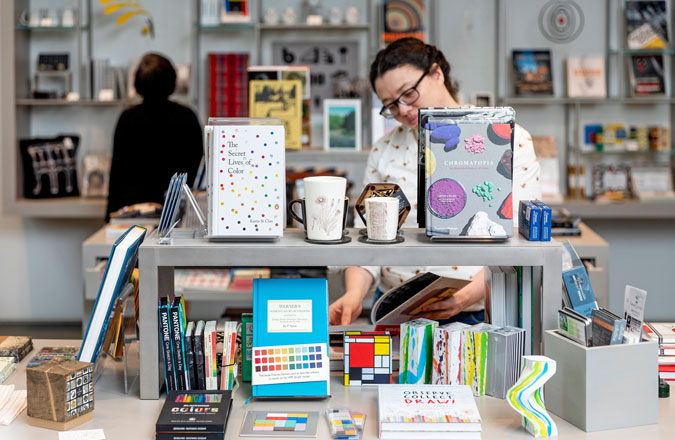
(153, 140)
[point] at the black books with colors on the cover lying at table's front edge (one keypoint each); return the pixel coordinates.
(194, 415)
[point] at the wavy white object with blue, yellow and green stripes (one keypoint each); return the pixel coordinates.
(527, 396)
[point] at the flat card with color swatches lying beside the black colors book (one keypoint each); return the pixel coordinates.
(280, 424)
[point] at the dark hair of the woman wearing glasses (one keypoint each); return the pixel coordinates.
(415, 53)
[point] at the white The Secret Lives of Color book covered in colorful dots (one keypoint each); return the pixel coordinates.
(246, 178)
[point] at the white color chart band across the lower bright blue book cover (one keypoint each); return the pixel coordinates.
(290, 363)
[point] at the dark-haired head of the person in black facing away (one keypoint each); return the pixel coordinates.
(155, 77)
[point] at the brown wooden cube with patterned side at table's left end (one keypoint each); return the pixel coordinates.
(60, 390)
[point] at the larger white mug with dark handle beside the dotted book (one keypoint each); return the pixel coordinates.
(324, 209)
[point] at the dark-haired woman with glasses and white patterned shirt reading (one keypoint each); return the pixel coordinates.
(408, 75)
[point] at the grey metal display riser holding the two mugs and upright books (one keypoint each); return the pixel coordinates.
(157, 263)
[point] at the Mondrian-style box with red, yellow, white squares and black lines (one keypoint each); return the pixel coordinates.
(368, 358)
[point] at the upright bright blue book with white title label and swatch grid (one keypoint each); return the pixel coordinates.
(291, 312)
